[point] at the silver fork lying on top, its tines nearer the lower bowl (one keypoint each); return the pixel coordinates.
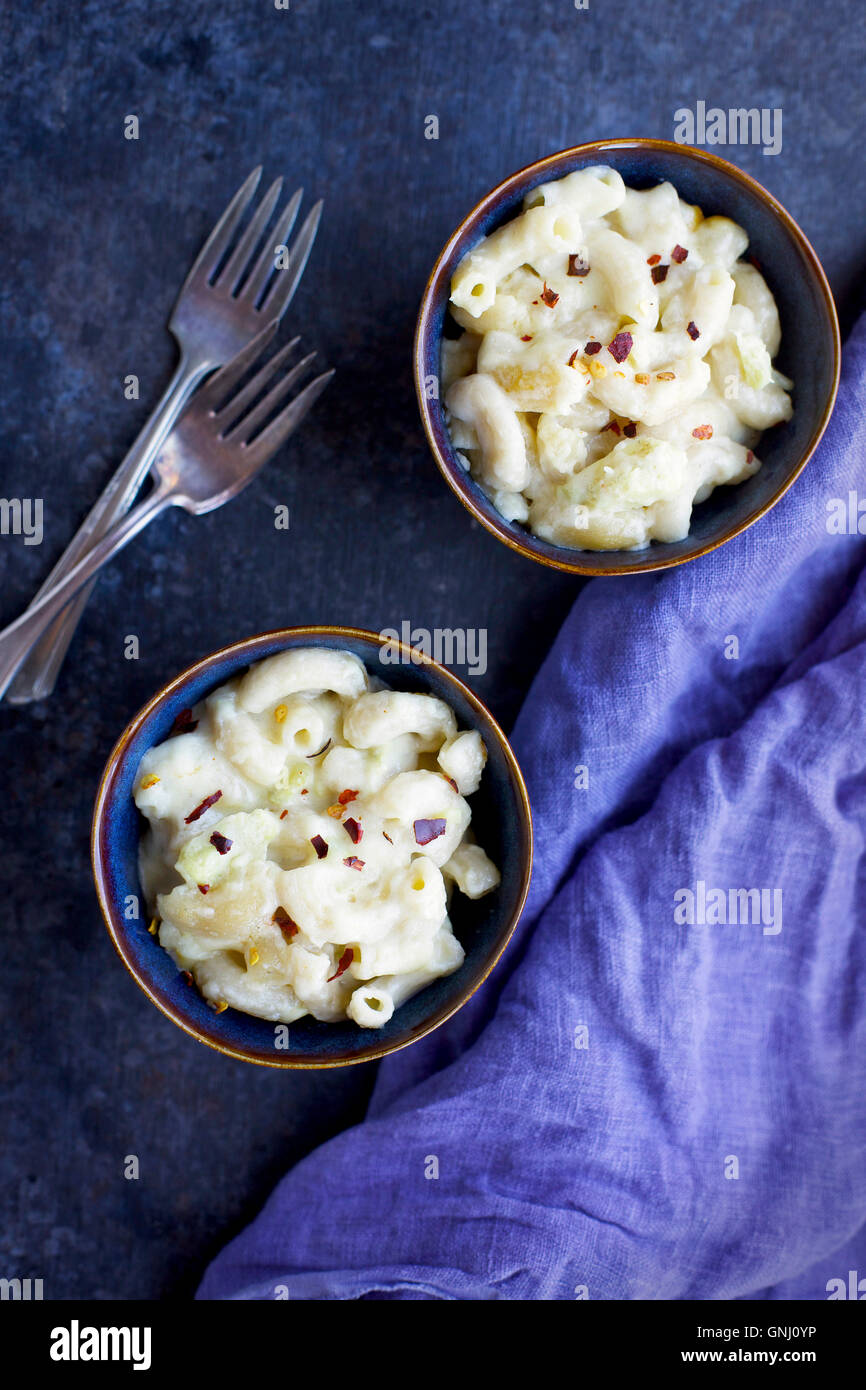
(216, 448)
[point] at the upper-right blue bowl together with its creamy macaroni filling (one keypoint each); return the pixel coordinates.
(625, 357)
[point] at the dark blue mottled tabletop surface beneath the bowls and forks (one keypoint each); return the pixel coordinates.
(97, 234)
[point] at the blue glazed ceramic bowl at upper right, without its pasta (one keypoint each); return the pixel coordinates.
(810, 343)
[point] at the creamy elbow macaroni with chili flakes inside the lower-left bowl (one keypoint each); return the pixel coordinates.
(305, 837)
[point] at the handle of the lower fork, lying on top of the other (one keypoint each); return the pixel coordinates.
(17, 640)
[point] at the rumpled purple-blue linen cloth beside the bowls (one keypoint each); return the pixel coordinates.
(650, 1099)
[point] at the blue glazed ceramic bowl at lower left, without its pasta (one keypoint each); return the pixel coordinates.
(501, 817)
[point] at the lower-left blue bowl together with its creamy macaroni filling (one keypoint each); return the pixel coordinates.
(312, 847)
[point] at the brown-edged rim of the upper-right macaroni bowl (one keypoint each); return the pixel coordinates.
(583, 564)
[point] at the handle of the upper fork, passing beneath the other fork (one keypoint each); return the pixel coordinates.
(40, 672)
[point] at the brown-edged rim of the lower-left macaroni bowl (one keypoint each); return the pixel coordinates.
(102, 806)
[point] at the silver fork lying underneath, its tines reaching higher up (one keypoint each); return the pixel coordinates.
(211, 323)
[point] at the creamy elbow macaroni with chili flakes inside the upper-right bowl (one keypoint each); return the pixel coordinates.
(616, 362)
